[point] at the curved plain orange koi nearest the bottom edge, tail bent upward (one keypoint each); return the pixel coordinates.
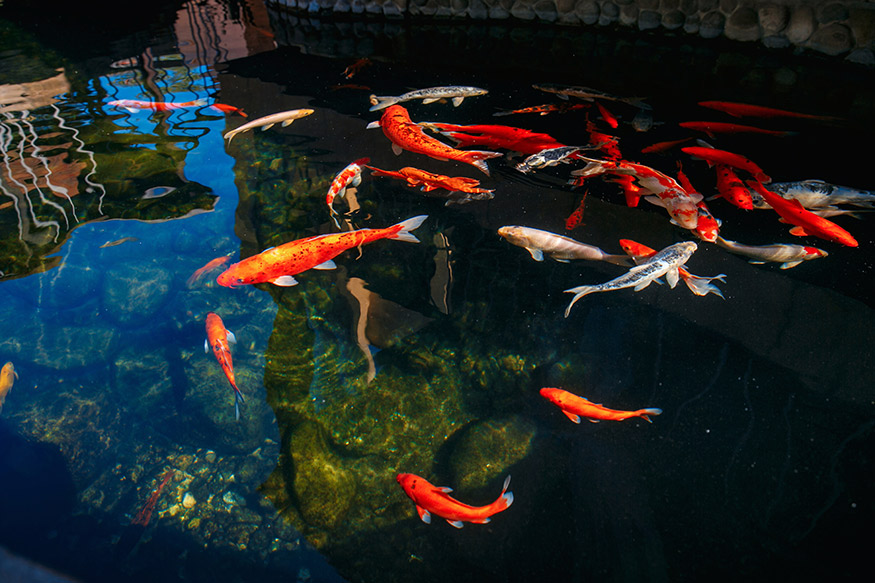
(430, 499)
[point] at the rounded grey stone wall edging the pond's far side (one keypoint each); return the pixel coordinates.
(842, 28)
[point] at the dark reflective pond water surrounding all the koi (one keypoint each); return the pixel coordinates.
(120, 454)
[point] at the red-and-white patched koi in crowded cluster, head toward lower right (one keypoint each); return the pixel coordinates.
(680, 205)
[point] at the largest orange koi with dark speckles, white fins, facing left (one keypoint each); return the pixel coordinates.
(278, 265)
